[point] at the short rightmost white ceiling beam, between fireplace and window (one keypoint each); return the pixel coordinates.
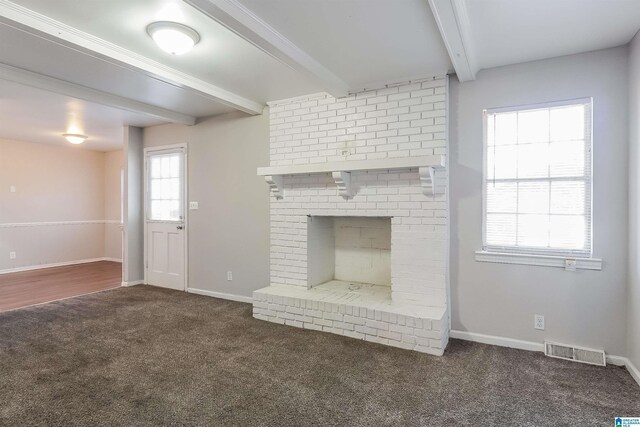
(453, 21)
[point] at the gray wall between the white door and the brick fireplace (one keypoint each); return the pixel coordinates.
(230, 230)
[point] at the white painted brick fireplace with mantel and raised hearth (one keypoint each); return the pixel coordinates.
(359, 219)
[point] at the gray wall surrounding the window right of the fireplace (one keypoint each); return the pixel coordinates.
(584, 307)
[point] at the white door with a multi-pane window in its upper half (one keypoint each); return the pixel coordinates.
(165, 225)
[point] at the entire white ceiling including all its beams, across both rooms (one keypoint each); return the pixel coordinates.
(102, 45)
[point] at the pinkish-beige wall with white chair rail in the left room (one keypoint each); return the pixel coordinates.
(57, 212)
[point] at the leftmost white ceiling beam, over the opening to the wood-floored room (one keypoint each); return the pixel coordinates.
(62, 87)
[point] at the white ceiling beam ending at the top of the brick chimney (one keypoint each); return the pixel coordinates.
(243, 22)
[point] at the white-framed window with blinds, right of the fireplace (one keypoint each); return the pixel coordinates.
(537, 180)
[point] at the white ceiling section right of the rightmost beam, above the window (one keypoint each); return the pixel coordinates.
(513, 31)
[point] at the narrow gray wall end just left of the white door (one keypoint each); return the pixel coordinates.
(133, 205)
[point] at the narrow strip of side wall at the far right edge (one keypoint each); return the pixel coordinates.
(633, 308)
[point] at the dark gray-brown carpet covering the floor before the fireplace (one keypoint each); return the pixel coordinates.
(147, 356)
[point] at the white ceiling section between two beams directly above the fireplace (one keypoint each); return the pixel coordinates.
(362, 41)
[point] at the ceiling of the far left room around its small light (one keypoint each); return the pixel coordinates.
(34, 115)
